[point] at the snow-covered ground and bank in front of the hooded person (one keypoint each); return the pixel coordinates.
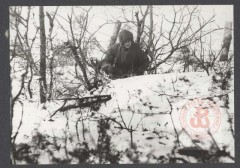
(149, 104)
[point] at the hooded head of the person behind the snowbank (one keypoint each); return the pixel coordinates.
(126, 38)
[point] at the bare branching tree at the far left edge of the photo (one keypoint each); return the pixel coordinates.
(21, 49)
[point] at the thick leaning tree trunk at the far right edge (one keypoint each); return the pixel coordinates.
(226, 41)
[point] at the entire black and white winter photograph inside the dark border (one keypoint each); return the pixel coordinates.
(123, 84)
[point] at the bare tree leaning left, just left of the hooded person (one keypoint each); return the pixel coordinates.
(80, 42)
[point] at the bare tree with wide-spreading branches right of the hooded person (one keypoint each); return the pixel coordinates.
(186, 28)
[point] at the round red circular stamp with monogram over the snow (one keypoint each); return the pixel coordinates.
(200, 118)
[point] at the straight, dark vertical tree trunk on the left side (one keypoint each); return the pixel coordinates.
(42, 81)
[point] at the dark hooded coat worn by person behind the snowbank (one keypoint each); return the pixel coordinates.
(125, 62)
